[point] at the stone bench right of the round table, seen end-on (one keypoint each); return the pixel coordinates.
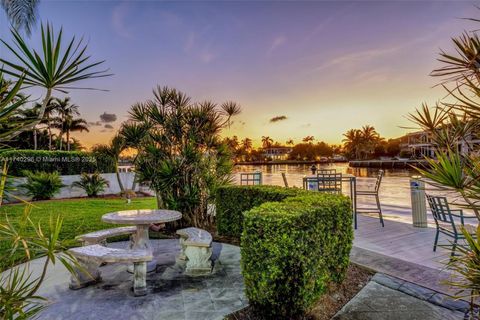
(196, 250)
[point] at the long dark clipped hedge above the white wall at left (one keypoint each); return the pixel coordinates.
(64, 162)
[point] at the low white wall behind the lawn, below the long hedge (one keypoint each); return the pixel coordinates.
(73, 192)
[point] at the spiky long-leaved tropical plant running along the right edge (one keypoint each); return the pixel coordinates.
(452, 128)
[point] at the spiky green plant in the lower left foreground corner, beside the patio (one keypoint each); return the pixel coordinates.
(19, 297)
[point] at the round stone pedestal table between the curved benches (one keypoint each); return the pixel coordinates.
(142, 219)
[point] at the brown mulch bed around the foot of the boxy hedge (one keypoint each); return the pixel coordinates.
(330, 303)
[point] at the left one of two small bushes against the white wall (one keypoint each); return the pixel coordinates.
(42, 185)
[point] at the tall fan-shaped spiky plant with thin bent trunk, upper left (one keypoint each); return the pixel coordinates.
(55, 68)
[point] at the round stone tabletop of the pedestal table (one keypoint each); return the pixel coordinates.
(142, 216)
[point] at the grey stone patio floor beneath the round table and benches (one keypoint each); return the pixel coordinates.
(171, 295)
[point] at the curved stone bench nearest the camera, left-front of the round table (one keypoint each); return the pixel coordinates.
(92, 256)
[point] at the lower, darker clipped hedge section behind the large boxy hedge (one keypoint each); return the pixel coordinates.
(233, 201)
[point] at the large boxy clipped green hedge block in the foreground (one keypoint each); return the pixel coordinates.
(292, 249)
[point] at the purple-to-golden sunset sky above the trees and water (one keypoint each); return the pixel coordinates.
(326, 66)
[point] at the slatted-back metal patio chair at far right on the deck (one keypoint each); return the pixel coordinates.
(446, 223)
